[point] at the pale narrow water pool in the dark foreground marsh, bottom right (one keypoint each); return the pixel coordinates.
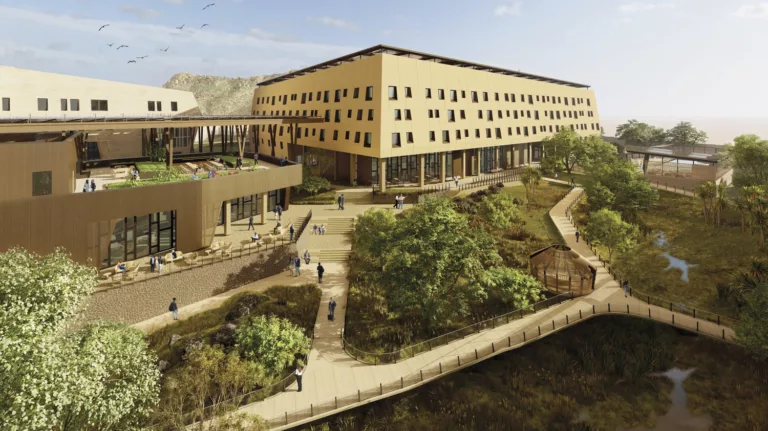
(678, 418)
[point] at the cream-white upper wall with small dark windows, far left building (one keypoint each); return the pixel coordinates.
(24, 87)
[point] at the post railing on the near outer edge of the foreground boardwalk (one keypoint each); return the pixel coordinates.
(521, 337)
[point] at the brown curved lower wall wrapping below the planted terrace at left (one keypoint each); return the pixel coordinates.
(82, 223)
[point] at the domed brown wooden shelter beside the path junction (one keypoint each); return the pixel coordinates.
(561, 270)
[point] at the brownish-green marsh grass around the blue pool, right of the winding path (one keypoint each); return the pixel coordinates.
(719, 252)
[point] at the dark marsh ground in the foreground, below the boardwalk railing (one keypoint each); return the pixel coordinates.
(597, 370)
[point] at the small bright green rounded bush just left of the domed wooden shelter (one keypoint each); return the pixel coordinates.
(513, 287)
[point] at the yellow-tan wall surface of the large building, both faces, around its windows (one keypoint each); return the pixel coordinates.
(384, 70)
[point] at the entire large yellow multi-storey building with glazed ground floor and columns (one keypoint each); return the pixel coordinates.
(394, 116)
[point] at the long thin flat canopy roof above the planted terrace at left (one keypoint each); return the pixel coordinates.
(58, 124)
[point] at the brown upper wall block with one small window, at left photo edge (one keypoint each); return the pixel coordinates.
(22, 159)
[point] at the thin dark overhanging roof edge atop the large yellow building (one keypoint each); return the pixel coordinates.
(386, 49)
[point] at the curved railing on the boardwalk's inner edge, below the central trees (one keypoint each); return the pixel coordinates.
(476, 328)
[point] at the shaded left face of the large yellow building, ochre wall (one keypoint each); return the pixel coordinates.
(360, 74)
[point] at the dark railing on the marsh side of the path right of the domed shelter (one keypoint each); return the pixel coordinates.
(647, 298)
